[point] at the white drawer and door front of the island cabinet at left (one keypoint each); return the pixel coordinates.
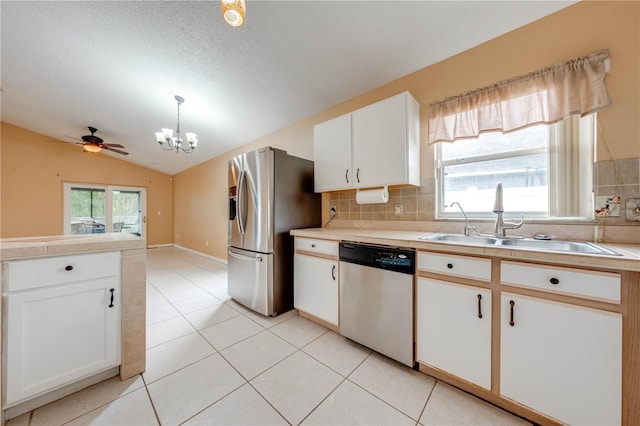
(62, 321)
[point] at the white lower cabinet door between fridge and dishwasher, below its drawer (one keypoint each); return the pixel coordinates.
(315, 287)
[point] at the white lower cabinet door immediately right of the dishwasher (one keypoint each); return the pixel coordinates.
(454, 329)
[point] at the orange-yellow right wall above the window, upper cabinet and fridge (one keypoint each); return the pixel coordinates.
(201, 192)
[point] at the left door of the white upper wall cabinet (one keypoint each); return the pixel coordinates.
(332, 154)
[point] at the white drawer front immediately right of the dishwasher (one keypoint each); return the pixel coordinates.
(459, 266)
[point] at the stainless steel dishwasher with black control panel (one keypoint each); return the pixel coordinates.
(376, 298)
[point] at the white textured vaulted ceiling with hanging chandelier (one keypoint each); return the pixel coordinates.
(117, 65)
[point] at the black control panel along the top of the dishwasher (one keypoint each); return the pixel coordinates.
(395, 259)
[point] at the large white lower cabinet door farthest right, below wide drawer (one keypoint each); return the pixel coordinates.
(562, 360)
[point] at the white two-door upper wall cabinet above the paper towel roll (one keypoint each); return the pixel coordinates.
(373, 146)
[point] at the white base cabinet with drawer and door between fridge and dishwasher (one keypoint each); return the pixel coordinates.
(315, 279)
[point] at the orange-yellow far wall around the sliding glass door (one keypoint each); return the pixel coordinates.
(34, 170)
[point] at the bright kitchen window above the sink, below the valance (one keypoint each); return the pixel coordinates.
(545, 171)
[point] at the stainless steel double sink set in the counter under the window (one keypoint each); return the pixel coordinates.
(546, 245)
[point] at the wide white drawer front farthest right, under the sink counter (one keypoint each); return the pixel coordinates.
(576, 282)
